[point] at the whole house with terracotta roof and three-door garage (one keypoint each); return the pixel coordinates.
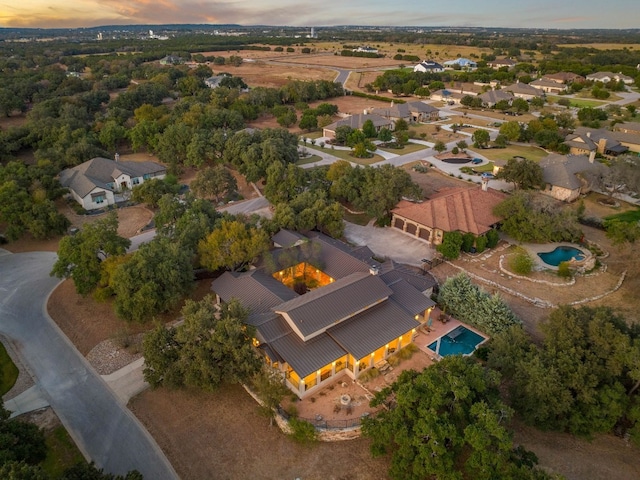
(465, 210)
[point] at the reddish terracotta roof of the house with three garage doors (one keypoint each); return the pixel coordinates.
(465, 210)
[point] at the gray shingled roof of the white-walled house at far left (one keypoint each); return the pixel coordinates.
(99, 172)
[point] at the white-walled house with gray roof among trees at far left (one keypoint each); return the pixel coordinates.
(96, 183)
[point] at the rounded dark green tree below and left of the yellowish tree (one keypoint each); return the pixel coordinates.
(153, 281)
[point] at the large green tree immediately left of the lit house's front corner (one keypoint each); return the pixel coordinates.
(213, 346)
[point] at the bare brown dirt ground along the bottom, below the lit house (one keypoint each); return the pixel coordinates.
(221, 435)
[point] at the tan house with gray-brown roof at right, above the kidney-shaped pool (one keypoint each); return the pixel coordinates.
(564, 175)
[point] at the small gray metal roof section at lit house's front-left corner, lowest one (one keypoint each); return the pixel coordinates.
(307, 357)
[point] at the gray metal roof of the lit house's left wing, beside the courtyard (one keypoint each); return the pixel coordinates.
(255, 290)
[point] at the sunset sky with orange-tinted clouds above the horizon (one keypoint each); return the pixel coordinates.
(471, 13)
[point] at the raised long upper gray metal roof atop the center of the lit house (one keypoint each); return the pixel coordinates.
(315, 311)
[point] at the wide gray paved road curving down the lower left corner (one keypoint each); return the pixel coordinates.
(104, 429)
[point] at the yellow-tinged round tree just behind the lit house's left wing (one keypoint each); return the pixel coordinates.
(232, 245)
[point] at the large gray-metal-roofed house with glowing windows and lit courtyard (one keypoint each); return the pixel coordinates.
(356, 315)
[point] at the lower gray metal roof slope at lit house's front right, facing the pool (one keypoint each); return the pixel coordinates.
(373, 329)
